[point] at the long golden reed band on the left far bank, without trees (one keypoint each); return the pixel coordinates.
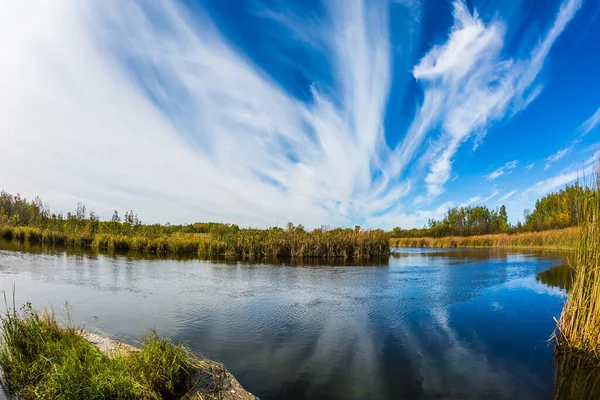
(245, 243)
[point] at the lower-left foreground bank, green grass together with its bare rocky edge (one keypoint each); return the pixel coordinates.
(41, 358)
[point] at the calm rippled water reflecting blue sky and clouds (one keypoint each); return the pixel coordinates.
(427, 324)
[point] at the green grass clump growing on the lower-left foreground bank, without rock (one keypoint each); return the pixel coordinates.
(40, 359)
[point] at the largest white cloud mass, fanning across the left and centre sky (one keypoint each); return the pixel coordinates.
(224, 142)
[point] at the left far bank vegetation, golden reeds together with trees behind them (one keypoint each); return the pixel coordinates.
(32, 221)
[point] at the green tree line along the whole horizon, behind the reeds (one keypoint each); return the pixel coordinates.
(553, 211)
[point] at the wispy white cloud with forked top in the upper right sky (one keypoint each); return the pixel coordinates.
(476, 83)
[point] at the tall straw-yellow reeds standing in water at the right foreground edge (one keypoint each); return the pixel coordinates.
(579, 325)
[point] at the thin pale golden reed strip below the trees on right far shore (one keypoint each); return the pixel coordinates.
(560, 239)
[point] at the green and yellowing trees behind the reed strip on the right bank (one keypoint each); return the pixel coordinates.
(554, 211)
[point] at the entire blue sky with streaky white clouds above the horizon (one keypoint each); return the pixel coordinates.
(341, 113)
